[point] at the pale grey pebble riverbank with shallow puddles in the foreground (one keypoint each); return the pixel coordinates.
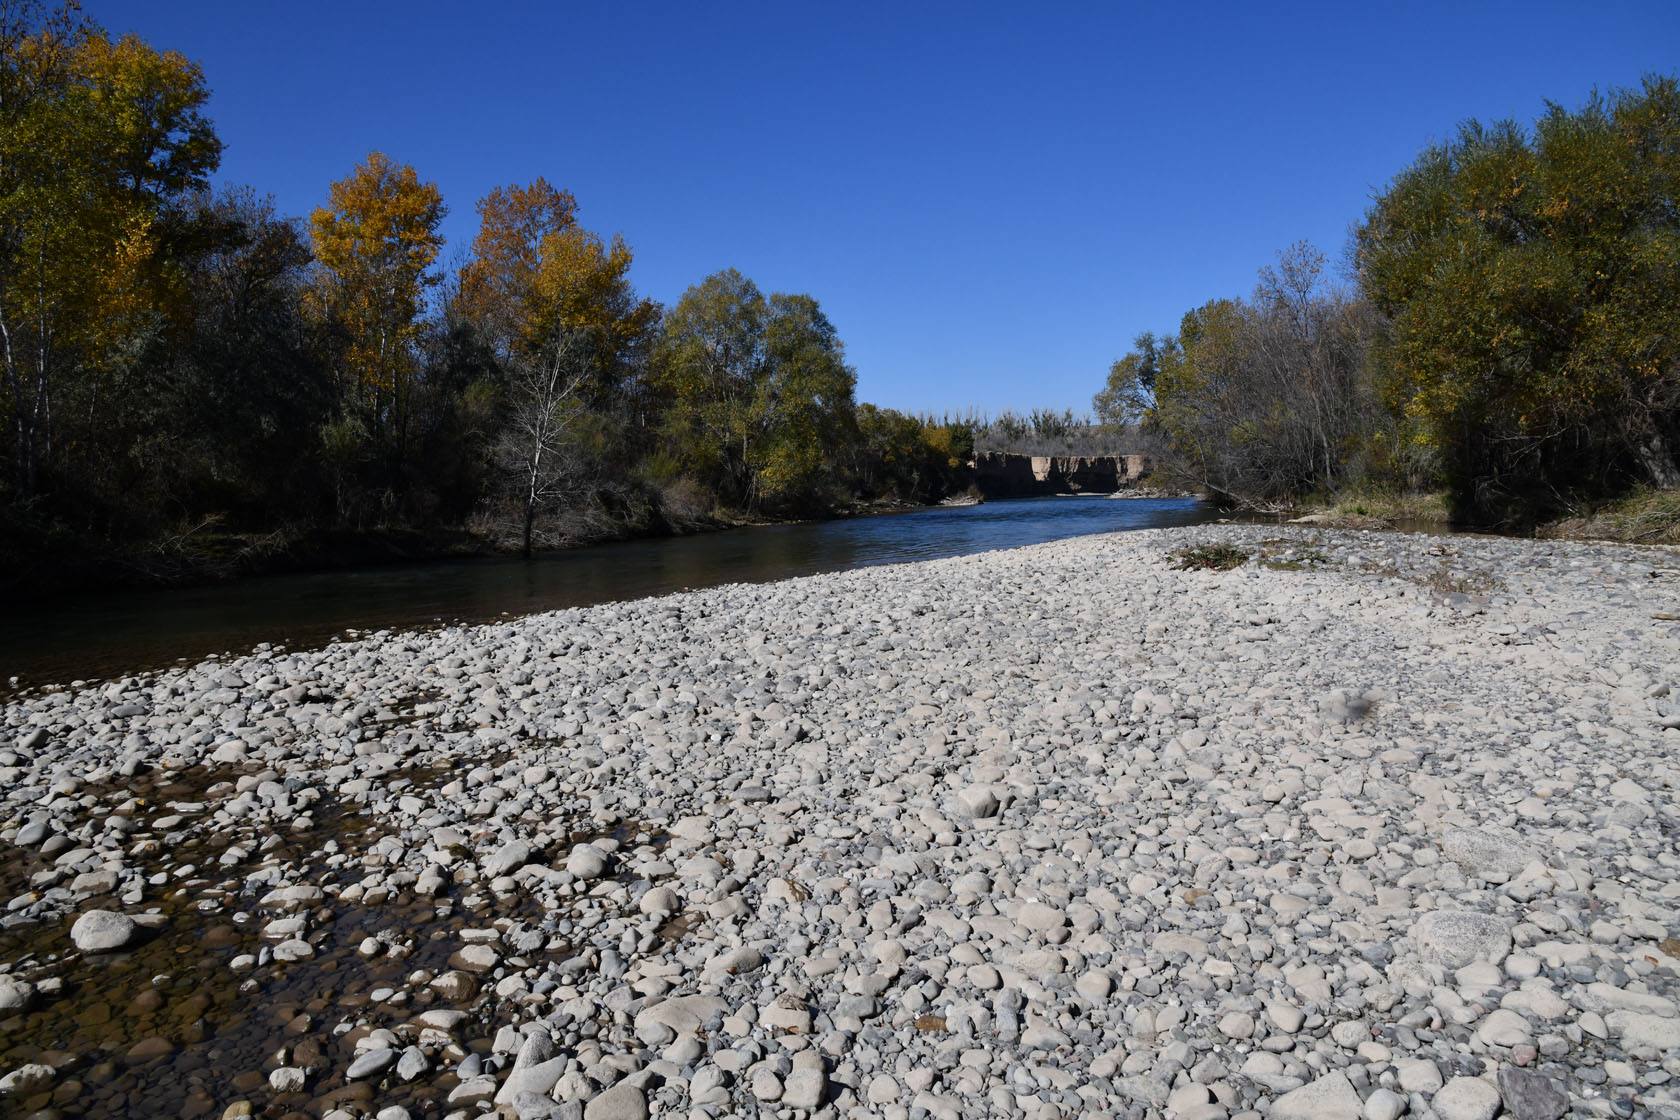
(1368, 827)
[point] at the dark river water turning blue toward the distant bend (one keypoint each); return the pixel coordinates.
(115, 634)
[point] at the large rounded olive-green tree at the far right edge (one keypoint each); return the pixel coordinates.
(1533, 286)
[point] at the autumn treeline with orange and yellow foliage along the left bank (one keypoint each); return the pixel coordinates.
(191, 375)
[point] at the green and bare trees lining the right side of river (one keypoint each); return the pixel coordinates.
(1511, 333)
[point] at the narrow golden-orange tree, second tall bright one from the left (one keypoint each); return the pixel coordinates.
(375, 244)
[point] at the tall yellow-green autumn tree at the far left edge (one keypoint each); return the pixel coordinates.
(98, 144)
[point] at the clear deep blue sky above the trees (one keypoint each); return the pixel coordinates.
(989, 201)
